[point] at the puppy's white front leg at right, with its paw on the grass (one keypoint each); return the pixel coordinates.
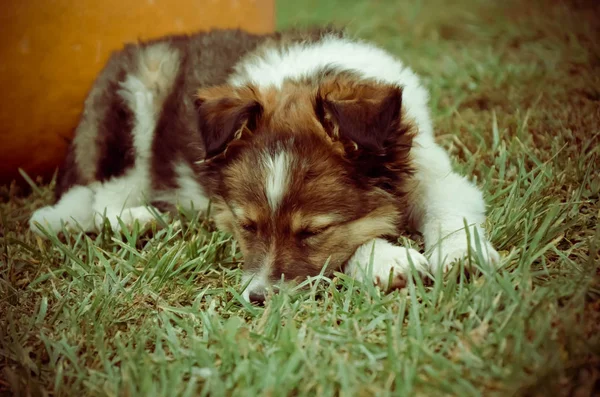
(441, 201)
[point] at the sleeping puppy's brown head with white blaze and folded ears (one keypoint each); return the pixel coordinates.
(306, 174)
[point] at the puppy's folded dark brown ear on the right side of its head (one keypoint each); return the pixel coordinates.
(363, 115)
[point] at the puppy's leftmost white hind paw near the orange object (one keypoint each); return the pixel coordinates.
(74, 210)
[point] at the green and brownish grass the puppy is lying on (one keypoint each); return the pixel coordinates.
(516, 99)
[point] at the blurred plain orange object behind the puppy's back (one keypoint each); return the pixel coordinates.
(51, 51)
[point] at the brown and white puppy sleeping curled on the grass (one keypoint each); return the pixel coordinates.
(312, 147)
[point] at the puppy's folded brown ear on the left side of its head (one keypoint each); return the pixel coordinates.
(225, 112)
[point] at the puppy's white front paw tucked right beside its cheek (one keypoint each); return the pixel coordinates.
(390, 264)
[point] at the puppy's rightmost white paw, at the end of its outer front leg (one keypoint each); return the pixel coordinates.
(455, 247)
